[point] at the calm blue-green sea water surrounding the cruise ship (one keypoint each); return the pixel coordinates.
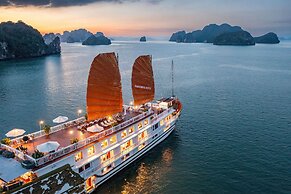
(234, 135)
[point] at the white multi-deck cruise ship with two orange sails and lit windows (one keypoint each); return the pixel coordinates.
(79, 155)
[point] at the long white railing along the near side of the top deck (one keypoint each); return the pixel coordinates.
(89, 140)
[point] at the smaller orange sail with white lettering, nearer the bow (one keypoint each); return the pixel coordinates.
(142, 81)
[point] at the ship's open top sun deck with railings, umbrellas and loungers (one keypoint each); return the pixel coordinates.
(85, 132)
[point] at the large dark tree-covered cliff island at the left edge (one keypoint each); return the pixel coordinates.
(19, 40)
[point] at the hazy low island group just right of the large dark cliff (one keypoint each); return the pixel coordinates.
(79, 35)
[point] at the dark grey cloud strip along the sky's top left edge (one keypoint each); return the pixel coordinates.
(63, 3)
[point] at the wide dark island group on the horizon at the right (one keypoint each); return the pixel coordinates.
(223, 34)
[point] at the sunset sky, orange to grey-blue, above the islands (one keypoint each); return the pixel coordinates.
(149, 17)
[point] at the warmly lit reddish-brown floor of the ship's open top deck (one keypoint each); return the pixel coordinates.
(65, 136)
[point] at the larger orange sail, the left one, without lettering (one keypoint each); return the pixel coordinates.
(104, 94)
